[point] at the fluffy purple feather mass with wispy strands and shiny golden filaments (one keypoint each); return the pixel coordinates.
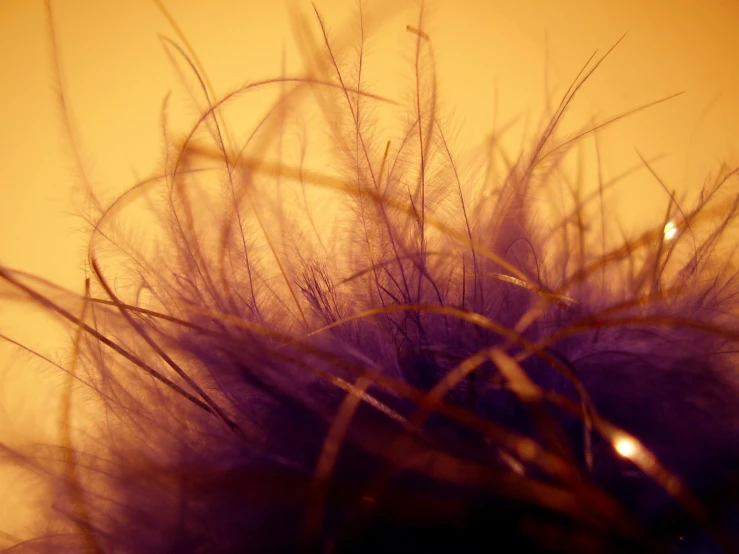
(443, 369)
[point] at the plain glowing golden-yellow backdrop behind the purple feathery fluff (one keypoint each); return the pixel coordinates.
(115, 74)
